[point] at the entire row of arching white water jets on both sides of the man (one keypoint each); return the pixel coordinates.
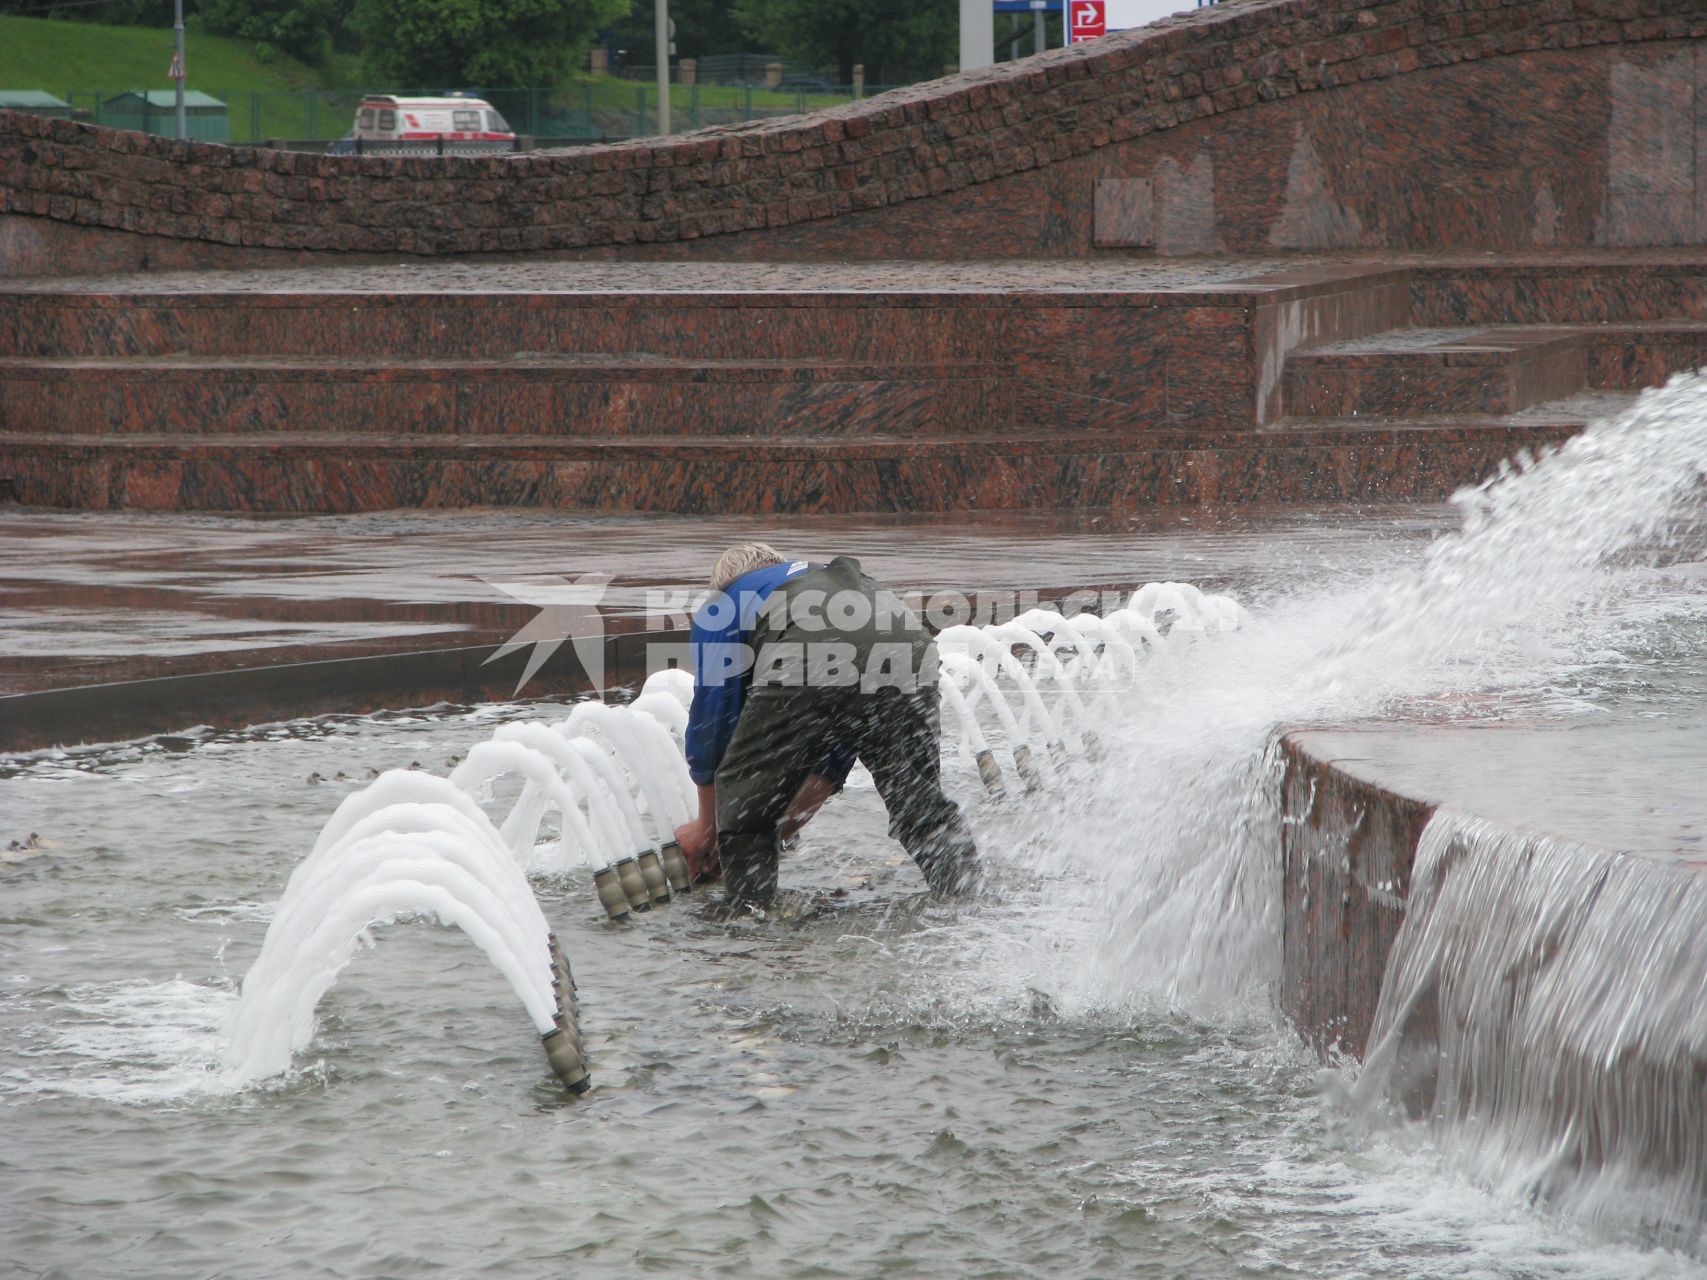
(414, 844)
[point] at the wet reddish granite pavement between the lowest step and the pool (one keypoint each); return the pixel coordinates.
(102, 598)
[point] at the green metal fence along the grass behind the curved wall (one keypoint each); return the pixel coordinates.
(602, 110)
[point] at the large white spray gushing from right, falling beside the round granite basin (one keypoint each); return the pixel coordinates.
(1177, 829)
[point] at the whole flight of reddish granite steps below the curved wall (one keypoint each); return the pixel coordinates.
(926, 390)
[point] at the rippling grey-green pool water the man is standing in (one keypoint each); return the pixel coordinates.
(880, 1085)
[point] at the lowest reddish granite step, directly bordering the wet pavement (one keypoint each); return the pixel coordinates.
(288, 474)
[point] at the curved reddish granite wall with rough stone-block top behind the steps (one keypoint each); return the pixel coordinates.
(1255, 125)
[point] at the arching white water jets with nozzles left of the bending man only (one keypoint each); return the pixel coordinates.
(414, 844)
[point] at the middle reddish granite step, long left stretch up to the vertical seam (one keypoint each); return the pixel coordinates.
(521, 395)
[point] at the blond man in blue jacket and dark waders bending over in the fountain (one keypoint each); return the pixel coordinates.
(798, 672)
